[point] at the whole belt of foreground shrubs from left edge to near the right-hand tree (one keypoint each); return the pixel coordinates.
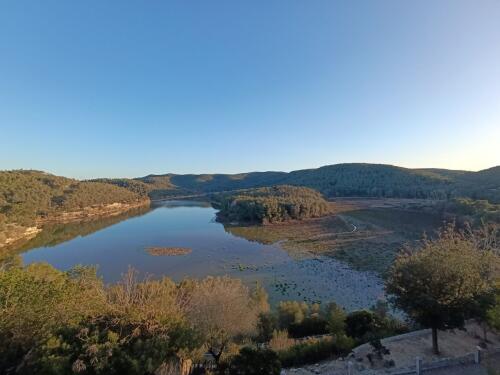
(54, 322)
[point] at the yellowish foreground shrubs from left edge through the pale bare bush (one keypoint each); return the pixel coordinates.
(54, 322)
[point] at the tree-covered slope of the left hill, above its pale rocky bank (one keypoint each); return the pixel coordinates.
(28, 195)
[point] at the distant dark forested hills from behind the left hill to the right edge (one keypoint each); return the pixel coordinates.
(369, 180)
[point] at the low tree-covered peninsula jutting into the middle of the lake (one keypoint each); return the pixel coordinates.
(272, 205)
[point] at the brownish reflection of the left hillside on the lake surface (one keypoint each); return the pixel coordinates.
(55, 234)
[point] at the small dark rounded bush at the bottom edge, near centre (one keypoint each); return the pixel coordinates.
(255, 362)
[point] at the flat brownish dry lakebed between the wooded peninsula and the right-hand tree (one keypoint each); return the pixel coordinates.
(365, 233)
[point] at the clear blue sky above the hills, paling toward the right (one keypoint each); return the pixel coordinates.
(127, 88)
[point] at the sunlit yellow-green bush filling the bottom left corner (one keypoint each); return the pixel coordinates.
(36, 300)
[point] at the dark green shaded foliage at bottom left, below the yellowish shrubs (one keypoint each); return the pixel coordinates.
(106, 345)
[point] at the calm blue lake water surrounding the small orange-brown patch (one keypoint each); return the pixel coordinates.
(114, 245)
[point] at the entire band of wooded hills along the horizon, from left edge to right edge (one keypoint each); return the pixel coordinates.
(26, 195)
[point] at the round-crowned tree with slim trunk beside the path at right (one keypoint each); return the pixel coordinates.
(444, 283)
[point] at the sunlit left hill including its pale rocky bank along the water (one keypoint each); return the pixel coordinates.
(27, 197)
